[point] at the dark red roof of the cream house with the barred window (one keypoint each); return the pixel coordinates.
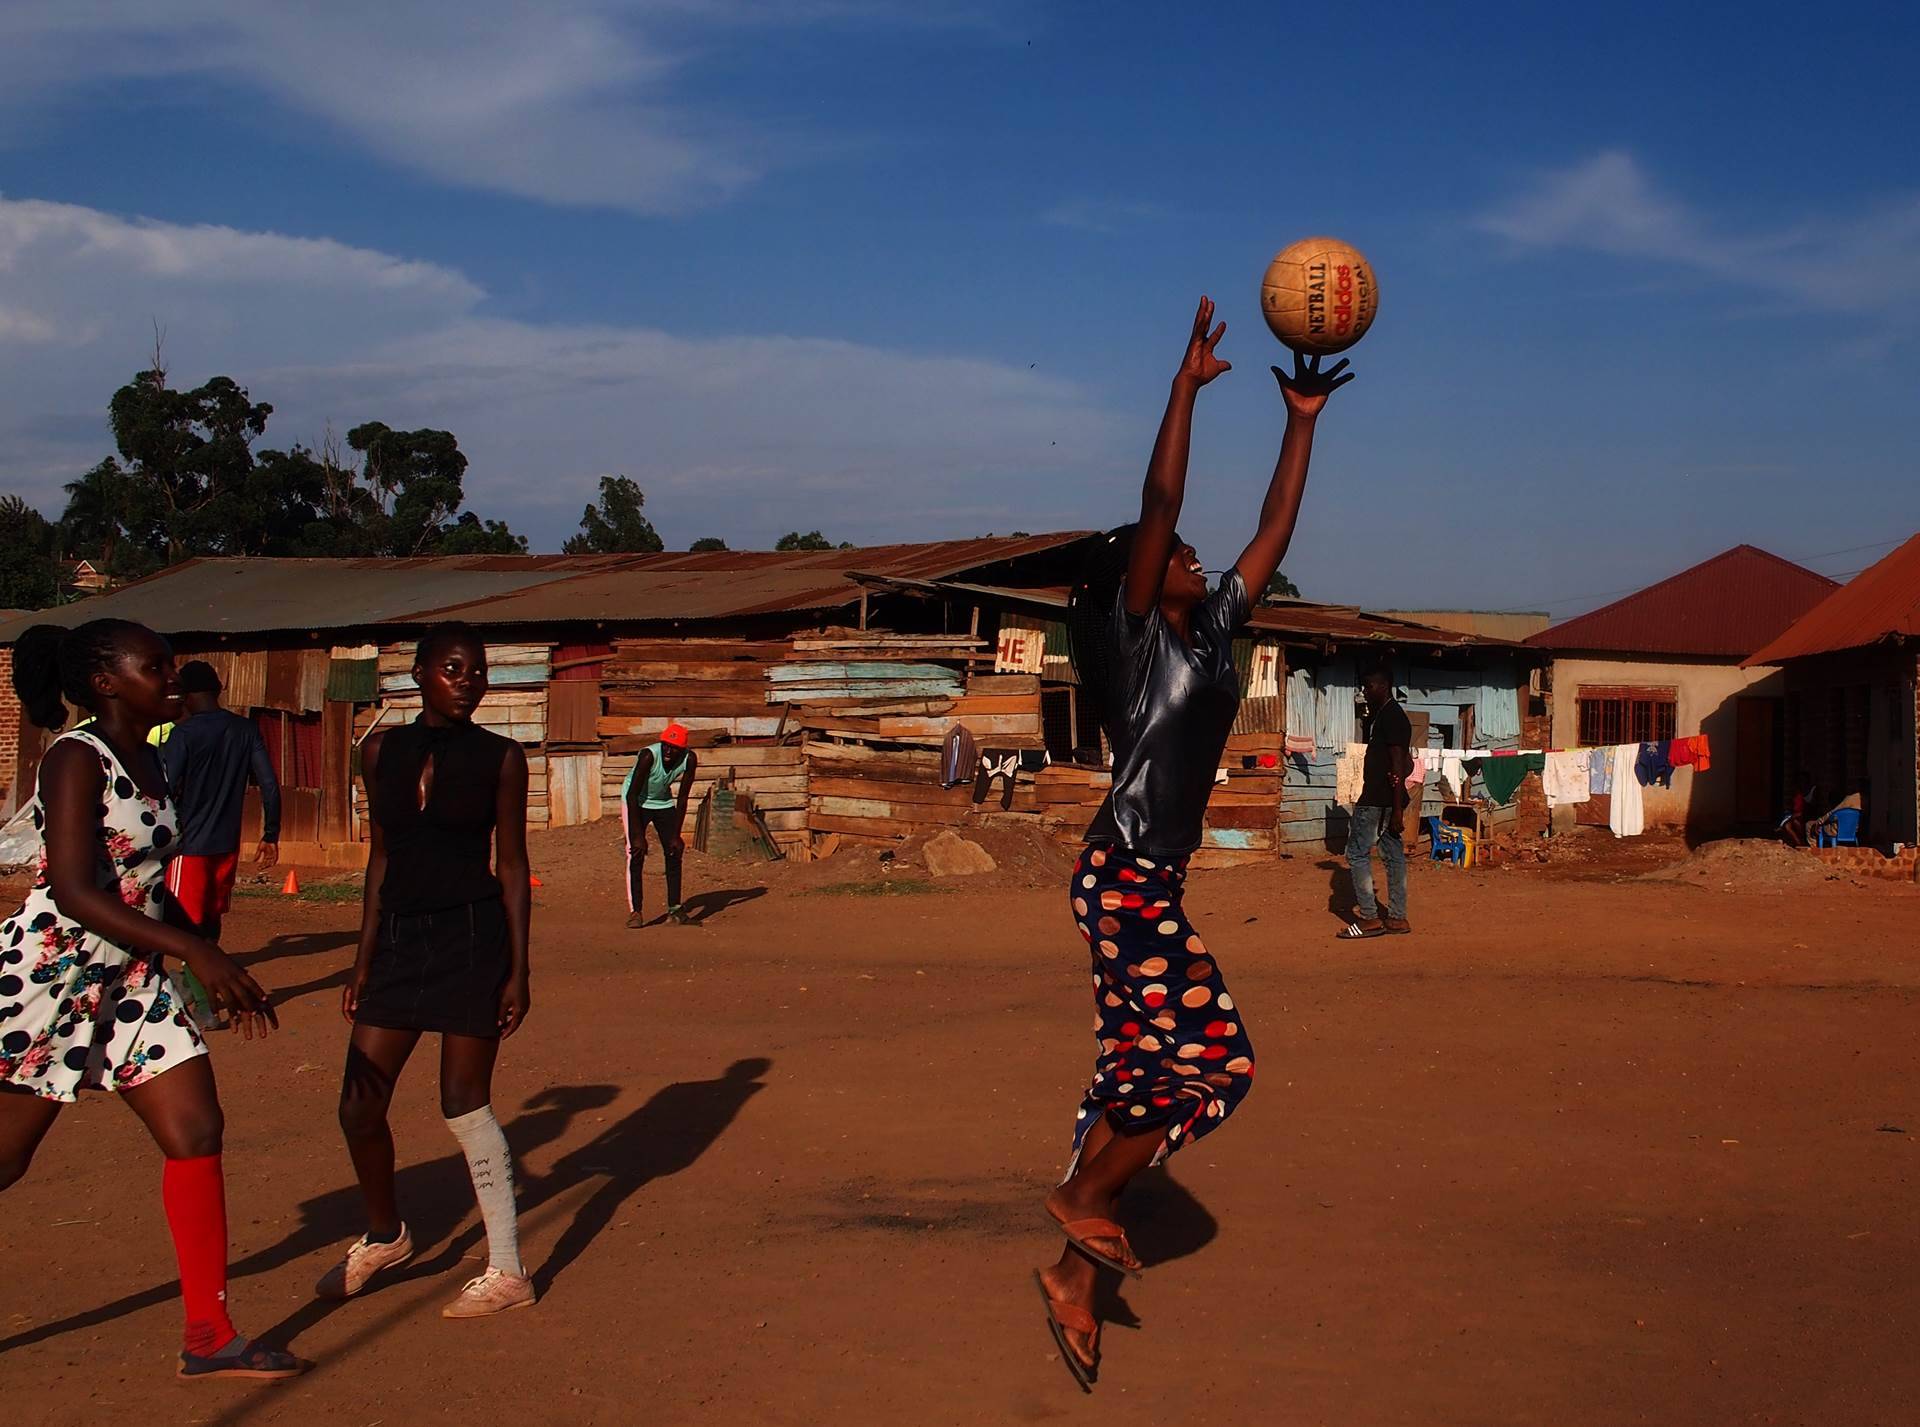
(1725, 608)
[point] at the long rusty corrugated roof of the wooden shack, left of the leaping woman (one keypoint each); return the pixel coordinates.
(258, 596)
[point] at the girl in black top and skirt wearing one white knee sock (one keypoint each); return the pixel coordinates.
(443, 950)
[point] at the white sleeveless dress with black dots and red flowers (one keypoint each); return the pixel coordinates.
(78, 1011)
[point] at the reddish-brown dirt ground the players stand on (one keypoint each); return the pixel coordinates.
(1591, 1148)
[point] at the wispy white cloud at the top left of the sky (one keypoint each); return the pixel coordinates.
(567, 101)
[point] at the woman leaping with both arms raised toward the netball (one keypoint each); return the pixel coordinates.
(1155, 650)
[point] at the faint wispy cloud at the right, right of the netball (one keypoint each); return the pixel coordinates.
(1840, 262)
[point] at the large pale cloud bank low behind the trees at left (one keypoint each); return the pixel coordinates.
(742, 437)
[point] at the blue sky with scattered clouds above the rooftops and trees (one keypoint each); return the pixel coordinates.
(1650, 281)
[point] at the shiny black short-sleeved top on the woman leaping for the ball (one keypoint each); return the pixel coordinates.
(1174, 708)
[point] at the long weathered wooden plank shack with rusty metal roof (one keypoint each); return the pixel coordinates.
(819, 685)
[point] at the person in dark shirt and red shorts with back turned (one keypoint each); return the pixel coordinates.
(208, 760)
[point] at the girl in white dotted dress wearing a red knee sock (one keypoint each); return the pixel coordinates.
(87, 1000)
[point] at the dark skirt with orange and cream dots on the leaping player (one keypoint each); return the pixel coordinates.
(1172, 1048)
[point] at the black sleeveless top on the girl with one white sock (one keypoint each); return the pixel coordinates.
(441, 856)
